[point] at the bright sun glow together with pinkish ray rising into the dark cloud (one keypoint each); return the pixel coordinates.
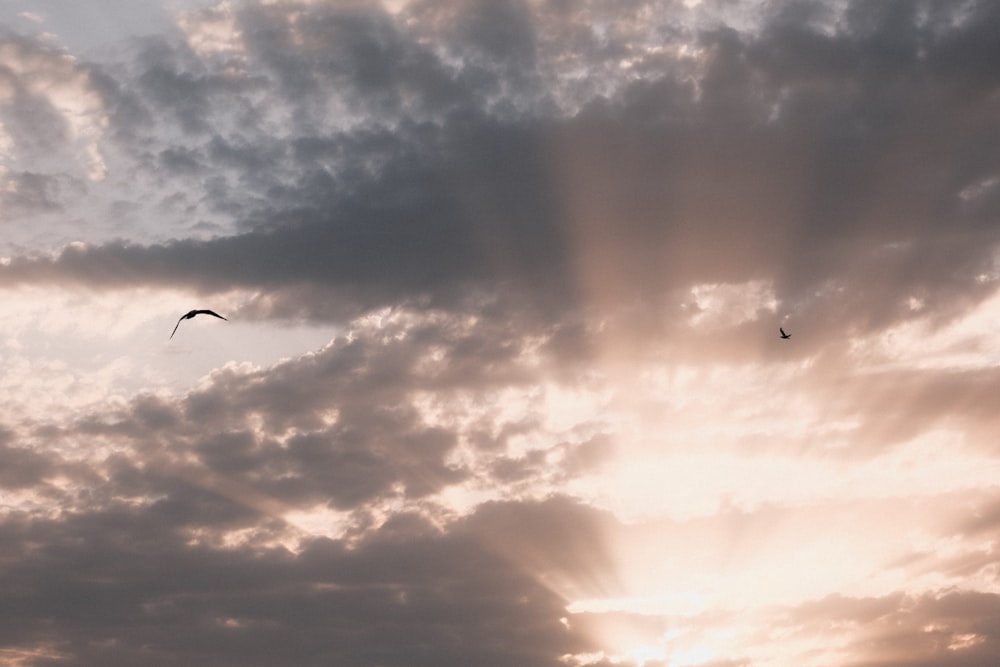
(728, 474)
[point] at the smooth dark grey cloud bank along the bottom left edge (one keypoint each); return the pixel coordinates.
(120, 584)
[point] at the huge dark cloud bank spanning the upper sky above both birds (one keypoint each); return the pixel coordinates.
(830, 163)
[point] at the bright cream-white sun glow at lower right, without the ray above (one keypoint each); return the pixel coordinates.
(718, 539)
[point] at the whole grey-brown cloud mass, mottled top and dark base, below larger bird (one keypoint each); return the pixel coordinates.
(170, 549)
